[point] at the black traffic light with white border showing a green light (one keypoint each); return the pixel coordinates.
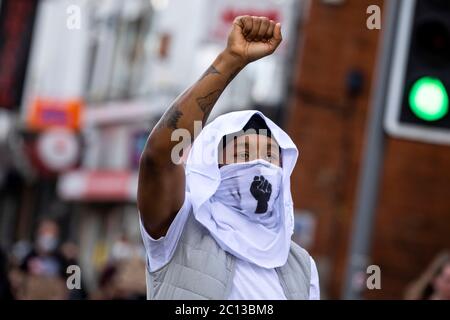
(419, 84)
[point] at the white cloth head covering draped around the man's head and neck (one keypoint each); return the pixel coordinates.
(235, 235)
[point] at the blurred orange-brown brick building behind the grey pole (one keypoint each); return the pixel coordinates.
(328, 124)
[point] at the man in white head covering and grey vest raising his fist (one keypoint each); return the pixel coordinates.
(222, 229)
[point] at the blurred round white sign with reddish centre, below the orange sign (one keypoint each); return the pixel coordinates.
(58, 149)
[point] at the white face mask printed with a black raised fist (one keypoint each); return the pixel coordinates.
(250, 188)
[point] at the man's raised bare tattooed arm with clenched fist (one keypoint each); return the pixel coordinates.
(161, 187)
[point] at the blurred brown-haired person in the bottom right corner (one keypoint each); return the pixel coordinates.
(434, 283)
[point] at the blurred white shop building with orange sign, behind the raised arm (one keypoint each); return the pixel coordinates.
(100, 75)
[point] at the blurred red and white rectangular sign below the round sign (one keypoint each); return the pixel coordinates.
(85, 185)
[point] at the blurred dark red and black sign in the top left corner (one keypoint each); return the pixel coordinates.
(16, 29)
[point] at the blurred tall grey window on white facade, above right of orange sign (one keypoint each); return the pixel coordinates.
(117, 53)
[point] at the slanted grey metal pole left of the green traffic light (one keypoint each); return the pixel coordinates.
(367, 196)
